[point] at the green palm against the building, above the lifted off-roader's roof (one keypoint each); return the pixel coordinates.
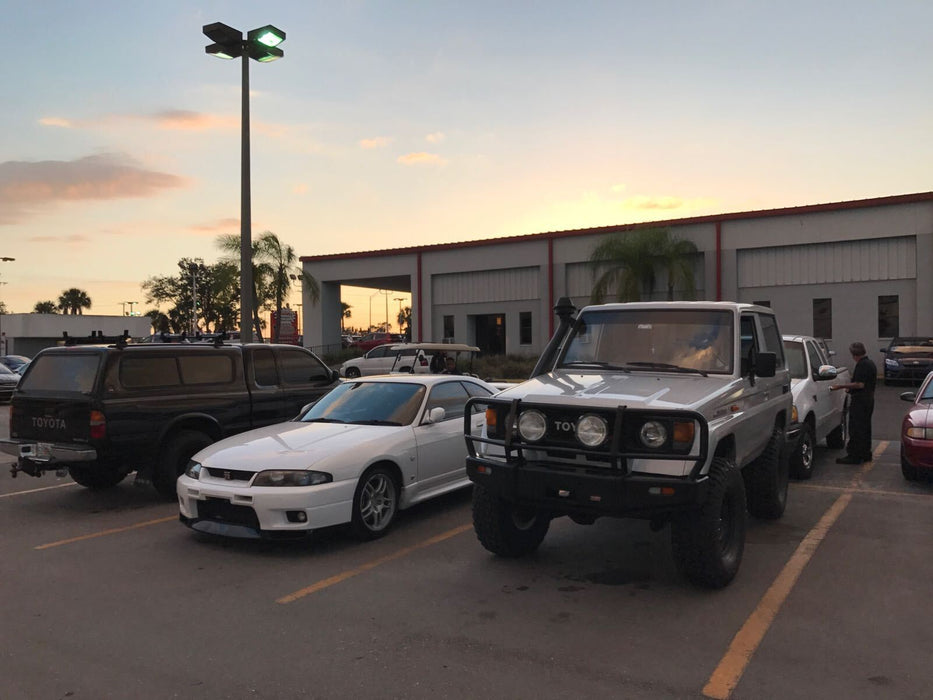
(629, 262)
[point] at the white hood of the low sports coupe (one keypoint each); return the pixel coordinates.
(292, 445)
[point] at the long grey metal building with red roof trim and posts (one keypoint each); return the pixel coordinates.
(846, 271)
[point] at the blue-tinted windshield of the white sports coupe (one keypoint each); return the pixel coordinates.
(387, 403)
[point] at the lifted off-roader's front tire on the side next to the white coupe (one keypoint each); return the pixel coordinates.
(504, 528)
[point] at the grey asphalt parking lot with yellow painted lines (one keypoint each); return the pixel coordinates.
(108, 596)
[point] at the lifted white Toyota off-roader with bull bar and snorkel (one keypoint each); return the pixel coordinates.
(668, 411)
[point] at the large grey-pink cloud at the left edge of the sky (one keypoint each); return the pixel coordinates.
(27, 188)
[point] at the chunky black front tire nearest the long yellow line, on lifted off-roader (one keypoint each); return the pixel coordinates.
(708, 542)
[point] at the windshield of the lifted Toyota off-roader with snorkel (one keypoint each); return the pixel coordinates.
(699, 340)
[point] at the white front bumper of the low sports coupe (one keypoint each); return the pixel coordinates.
(217, 507)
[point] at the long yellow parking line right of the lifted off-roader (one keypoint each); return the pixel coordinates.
(732, 666)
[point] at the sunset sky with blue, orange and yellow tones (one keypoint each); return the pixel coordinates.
(393, 123)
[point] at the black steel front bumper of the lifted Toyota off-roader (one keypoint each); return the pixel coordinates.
(573, 490)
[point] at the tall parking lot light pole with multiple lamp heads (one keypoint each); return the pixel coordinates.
(260, 45)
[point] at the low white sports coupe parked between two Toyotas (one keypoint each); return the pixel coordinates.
(364, 451)
